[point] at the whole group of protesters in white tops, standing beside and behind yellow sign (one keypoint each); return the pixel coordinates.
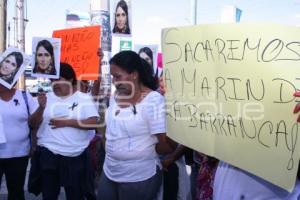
(141, 162)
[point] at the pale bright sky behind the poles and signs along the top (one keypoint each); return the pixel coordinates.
(150, 16)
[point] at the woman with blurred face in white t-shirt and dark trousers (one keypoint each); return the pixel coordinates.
(63, 119)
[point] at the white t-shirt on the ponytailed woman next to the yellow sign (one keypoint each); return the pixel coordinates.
(131, 139)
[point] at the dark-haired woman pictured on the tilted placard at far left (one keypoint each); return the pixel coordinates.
(10, 66)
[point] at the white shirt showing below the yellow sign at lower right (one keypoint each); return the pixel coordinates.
(235, 184)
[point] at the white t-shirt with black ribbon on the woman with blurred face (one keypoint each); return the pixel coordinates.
(66, 141)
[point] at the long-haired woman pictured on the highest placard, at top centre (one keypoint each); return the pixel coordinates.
(121, 18)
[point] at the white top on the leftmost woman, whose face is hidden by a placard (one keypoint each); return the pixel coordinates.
(14, 116)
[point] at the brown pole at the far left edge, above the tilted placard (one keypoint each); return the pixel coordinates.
(3, 13)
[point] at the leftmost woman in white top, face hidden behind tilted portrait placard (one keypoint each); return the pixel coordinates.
(15, 132)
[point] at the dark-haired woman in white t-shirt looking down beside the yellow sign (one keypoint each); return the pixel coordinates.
(135, 132)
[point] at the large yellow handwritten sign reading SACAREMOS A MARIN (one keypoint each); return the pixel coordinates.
(230, 95)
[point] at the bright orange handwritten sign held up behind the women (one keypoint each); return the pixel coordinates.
(79, 49)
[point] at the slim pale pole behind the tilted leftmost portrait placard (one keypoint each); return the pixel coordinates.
(20, 33)
